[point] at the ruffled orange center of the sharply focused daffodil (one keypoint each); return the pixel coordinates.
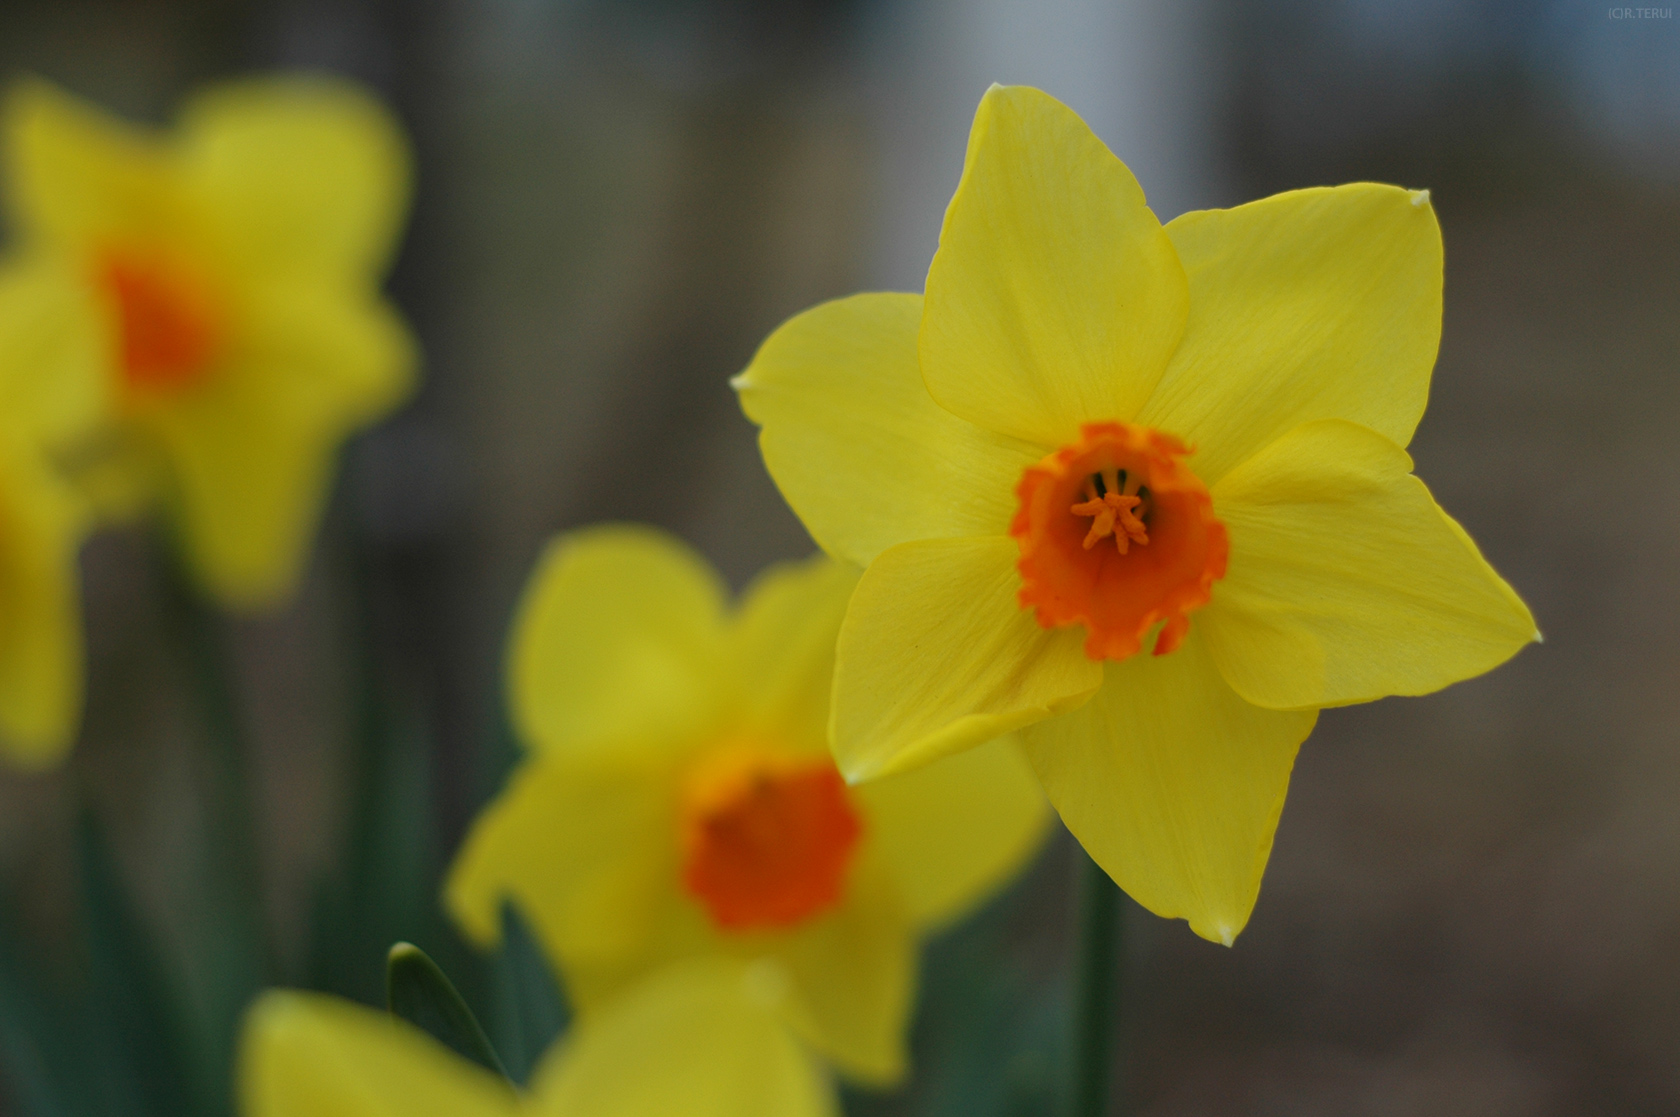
(1128, 485)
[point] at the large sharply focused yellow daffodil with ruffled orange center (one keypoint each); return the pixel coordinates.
(1138, 491)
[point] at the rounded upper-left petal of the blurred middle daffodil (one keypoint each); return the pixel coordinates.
(619, 644)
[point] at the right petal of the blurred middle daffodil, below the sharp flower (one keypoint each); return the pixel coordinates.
(957, 831)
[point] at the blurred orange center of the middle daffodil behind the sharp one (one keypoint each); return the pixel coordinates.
(767, 839)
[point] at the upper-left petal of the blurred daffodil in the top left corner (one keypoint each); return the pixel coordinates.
(78, 177)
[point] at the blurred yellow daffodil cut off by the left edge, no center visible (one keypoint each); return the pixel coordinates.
(50, 394)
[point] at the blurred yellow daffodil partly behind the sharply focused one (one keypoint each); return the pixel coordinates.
(680, 800)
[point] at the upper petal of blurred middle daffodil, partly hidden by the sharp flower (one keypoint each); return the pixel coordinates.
(784, 644)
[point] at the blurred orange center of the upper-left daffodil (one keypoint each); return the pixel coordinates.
(167, 320)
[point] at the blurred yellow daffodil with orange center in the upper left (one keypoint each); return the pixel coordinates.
(229, 271)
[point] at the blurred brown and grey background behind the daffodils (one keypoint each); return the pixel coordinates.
(1474, 901)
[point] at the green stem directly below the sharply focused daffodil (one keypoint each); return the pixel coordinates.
(1098, 990)
